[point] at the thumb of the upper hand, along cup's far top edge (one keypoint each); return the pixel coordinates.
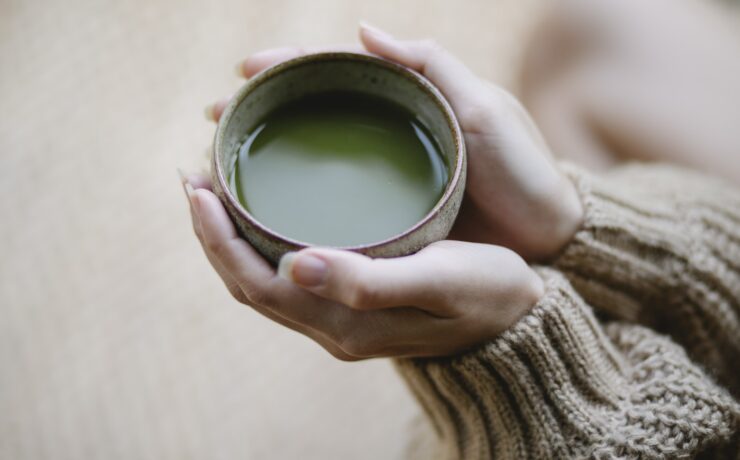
(458, 83)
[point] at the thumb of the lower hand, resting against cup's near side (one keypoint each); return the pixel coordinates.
(358, 281)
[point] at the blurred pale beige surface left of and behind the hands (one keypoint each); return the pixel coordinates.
(116, 338)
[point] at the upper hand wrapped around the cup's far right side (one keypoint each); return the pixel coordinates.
(515, 195)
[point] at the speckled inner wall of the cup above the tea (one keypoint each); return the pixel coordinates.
(336, 72)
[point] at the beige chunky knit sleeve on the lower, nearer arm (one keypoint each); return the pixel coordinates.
(559, 384)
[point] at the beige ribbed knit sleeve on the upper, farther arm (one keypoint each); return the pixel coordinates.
(660, 246)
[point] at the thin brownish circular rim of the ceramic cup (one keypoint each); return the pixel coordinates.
(415, 77)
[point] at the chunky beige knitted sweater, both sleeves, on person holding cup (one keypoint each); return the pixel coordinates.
(634, 350)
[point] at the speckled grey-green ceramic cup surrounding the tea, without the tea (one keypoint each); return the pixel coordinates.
(340, 71)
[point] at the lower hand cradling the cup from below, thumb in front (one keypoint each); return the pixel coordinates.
(446, 298)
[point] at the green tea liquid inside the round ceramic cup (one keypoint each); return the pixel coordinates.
(339, 169)
